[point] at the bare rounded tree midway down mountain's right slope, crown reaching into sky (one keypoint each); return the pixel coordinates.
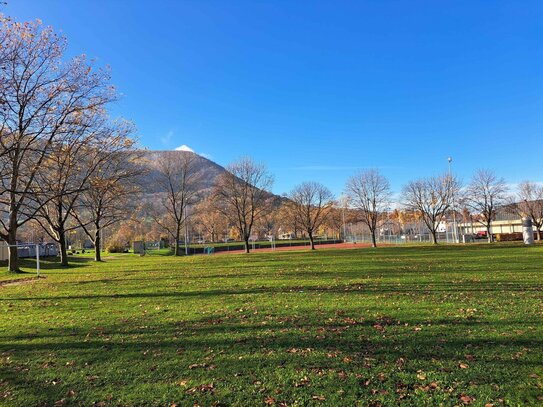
(242, 195)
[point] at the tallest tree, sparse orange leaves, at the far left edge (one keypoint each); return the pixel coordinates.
(40, 97)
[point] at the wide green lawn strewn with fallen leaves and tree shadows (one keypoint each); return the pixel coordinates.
(418, 325)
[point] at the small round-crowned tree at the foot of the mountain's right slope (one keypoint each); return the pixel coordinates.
(311, 204)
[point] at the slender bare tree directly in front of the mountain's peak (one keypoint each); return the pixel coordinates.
(178, 176)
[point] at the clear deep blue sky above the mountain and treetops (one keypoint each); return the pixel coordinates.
(318, 90)
